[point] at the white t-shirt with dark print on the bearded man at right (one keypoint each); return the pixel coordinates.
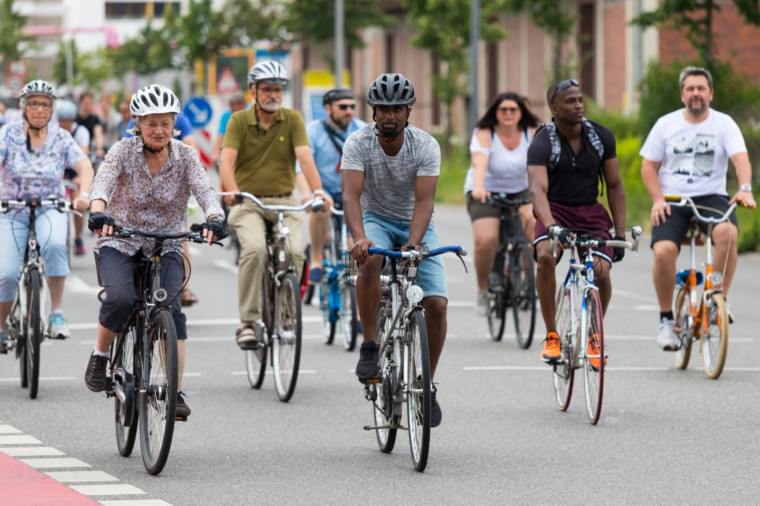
(693, 156)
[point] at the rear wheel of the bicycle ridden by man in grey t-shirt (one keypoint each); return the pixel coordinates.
(384, 414)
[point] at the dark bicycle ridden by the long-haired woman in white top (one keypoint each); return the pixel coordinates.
(512, 280)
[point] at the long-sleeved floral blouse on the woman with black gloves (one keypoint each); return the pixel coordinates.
(155, 204)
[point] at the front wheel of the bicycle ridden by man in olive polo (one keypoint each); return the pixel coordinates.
(286, 340)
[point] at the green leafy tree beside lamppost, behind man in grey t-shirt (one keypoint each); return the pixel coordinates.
(443, 27)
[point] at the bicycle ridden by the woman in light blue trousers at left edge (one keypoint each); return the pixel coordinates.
(25, 328)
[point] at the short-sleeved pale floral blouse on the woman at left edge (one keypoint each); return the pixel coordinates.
(39, 172)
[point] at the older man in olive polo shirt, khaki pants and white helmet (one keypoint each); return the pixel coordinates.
(260, 149)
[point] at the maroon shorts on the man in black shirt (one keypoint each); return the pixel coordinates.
(591, 219)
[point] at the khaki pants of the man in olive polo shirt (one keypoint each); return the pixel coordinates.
(248, 222)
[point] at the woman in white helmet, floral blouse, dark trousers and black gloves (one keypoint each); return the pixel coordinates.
(154, 200)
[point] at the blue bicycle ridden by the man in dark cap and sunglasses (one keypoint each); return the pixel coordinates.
(337, 295)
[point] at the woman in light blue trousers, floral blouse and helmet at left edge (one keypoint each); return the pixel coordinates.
(33, 156)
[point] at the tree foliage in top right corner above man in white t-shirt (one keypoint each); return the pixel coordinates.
(694, 18)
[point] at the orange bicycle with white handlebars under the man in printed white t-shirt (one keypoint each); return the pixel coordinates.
(701, 315)
